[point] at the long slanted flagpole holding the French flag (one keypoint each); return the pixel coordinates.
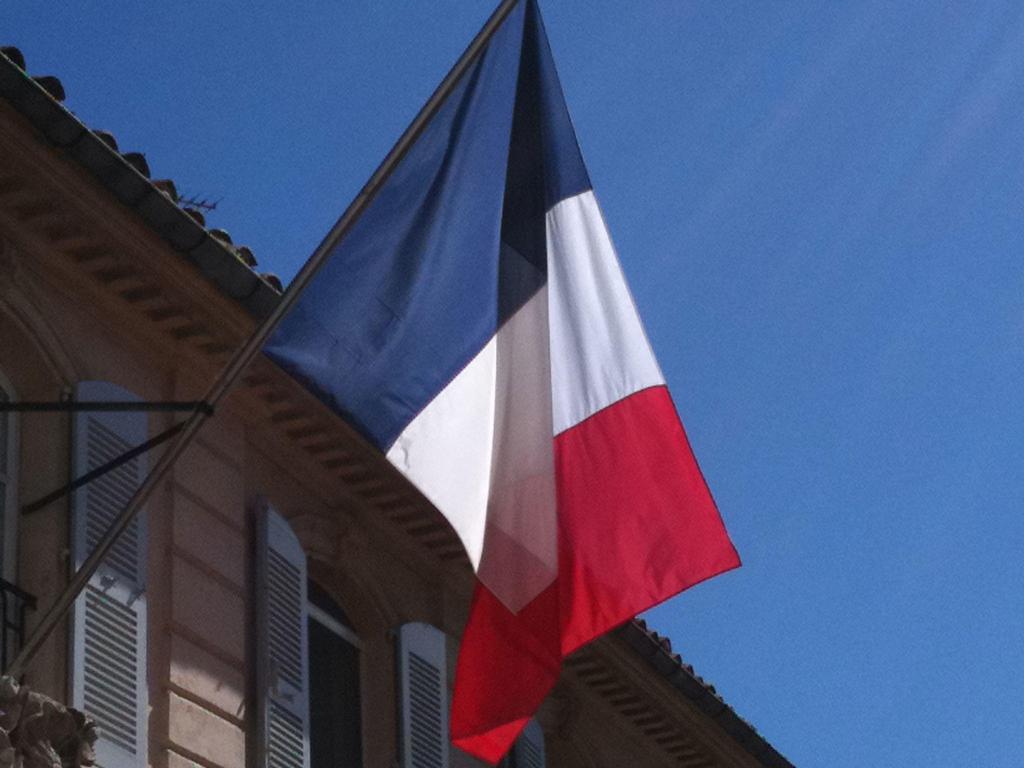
(245, 355)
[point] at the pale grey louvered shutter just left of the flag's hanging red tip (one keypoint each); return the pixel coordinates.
(422, 680)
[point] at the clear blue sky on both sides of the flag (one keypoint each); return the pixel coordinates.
(819, 207)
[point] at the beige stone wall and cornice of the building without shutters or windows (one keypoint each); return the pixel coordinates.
(380, 557)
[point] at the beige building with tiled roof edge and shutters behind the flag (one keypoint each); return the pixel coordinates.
(286, 600)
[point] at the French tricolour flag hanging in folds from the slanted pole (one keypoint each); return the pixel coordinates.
(477, 328)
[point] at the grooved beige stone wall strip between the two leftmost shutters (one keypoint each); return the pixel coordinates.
(200, 712)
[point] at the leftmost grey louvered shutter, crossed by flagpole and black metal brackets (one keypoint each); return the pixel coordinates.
(109, 635)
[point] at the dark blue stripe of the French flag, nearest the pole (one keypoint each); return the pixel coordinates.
(422, 282)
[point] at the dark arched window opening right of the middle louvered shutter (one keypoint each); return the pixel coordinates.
(335, 723)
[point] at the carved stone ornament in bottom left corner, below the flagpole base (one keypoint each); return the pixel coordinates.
(38, 733)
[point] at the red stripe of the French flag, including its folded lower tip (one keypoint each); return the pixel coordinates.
(637, 525)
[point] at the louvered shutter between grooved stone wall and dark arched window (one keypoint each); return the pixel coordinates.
(283, 668)
